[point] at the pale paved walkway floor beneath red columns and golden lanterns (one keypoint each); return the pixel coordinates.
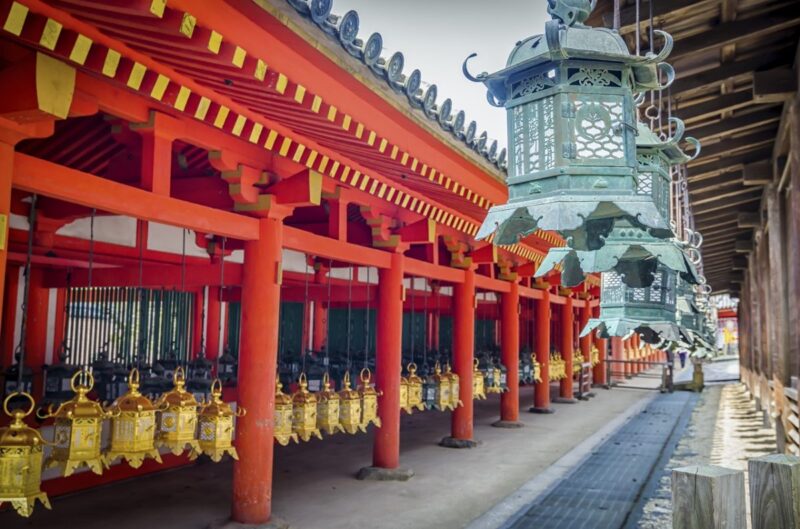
(314, 486)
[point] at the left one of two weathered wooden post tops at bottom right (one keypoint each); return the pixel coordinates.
(708, 497)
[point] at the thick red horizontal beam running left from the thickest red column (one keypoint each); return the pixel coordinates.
(46, 178)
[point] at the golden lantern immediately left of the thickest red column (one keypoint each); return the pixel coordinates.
(216, 424)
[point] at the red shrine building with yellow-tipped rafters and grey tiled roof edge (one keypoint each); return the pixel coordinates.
(253, 184)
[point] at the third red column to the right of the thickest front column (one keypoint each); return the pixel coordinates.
(509, 342)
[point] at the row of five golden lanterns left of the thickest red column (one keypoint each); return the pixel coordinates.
(138, 429)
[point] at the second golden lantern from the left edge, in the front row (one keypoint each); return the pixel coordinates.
(77, 429)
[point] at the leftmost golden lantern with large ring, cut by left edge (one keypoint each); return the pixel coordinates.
(21, 461)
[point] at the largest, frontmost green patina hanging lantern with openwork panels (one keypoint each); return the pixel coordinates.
(569, 97)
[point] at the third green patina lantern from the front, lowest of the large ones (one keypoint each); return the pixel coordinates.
(649, 311)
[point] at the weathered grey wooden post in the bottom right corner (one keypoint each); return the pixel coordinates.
(775, 491)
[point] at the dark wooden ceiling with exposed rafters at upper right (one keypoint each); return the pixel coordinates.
(733, 60)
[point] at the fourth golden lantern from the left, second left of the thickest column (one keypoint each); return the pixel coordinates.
(177, 417)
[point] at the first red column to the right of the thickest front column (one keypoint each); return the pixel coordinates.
(386, 447)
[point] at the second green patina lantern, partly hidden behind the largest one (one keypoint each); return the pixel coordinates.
(635, 253)
